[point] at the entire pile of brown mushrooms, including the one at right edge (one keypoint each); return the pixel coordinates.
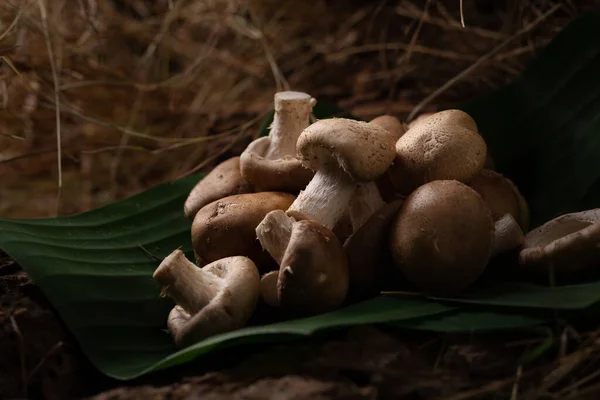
(318, 215)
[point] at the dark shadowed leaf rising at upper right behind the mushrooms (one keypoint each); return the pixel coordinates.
(543, 129)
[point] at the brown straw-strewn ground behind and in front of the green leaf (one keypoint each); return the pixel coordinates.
(165, 87)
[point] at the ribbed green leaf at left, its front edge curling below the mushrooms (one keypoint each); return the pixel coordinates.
(94, 270)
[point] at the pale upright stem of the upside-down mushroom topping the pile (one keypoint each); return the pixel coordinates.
(292, 113)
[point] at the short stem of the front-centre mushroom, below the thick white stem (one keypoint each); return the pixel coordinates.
(274, 232)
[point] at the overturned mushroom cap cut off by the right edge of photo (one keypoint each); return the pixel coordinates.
(569, 243)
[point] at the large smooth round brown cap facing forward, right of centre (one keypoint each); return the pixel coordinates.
(443, 237)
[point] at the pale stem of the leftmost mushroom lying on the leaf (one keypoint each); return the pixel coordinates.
(189, 286)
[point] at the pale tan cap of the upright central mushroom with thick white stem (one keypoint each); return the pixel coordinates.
(363, 150)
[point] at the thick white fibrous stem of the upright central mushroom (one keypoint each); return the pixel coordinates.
(326, 197)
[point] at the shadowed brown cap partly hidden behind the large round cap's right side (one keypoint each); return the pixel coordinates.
(502, 196)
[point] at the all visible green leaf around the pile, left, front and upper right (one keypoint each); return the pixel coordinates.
(95, 269)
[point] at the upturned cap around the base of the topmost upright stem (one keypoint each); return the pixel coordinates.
(281, 174)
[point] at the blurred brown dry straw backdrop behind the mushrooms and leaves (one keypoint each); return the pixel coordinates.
(147, 91)
